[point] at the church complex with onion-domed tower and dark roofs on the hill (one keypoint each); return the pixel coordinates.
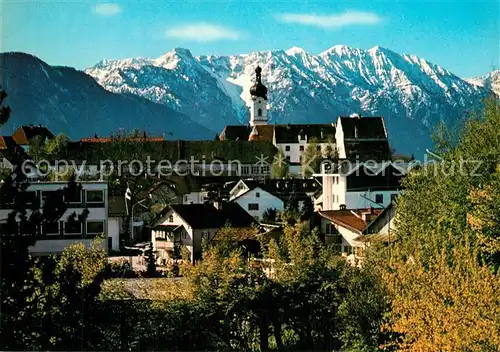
(346, 136)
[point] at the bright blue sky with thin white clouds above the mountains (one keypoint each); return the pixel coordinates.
(461, 36)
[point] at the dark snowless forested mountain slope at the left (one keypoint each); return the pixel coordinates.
(69, 101)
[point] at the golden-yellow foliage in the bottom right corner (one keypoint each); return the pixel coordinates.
(445, 307)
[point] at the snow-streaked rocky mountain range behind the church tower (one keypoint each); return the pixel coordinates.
(411, 93)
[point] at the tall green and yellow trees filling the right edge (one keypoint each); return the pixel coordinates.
(442, 274)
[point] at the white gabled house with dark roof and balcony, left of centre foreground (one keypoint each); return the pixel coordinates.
(190, 224)
